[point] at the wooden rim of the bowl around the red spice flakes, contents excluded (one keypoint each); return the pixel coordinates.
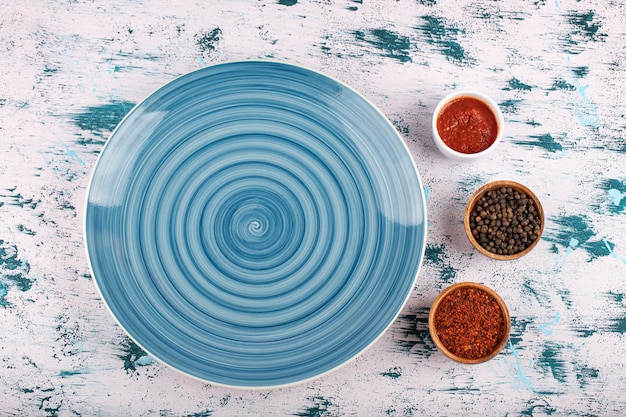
(433, 330)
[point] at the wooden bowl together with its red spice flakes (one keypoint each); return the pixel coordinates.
(469, 323)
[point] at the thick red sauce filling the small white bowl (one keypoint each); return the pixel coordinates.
(467, 125)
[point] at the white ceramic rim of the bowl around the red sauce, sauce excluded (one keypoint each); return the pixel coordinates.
(456, 155)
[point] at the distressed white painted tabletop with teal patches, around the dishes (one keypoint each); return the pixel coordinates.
(72, 69)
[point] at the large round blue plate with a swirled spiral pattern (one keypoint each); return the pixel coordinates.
(255, 224)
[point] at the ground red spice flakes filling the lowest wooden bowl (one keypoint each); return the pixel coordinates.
(469, 323)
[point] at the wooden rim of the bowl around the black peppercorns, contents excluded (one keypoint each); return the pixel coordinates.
(493, 186)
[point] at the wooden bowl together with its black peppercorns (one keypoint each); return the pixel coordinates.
(504, 220)
